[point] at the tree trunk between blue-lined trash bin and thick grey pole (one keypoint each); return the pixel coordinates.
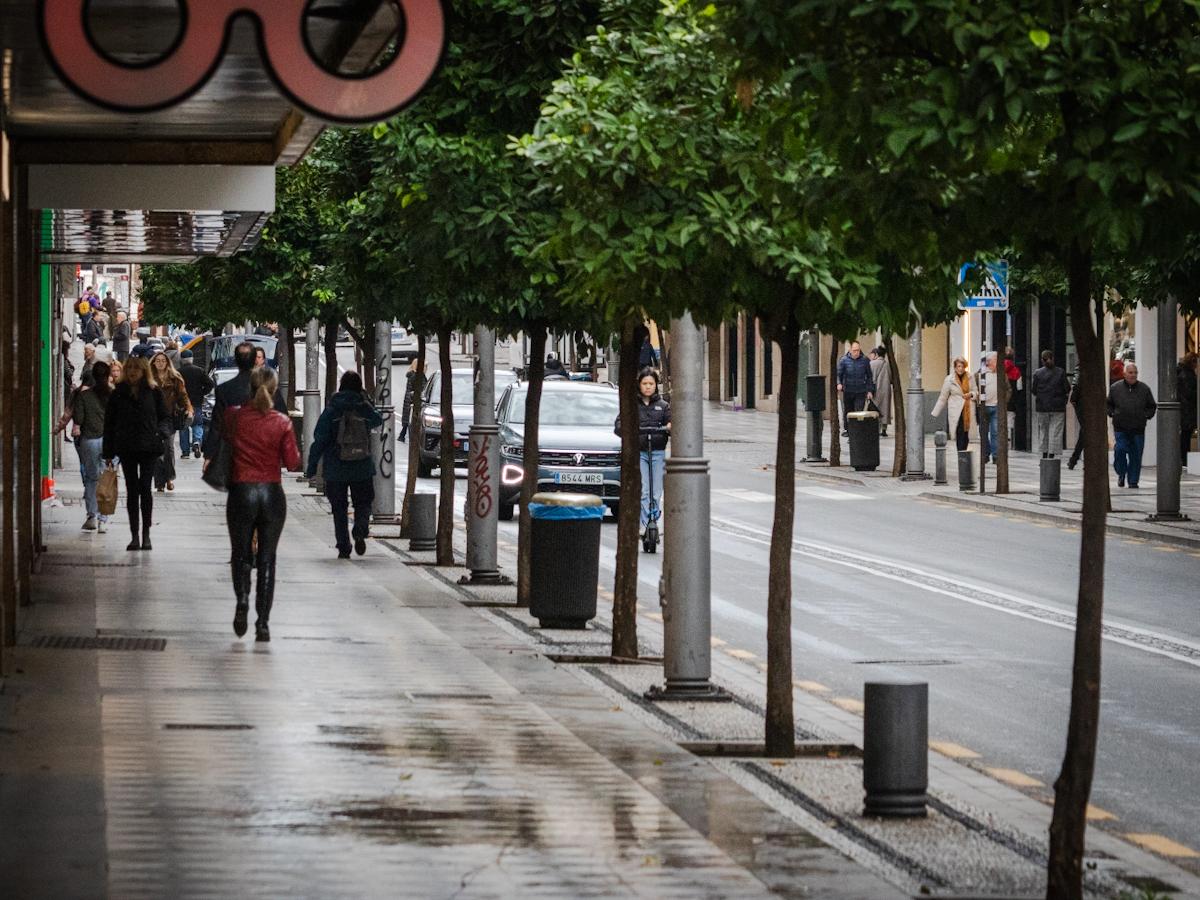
(625, 602)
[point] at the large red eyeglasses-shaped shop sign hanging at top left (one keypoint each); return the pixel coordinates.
(205, 38)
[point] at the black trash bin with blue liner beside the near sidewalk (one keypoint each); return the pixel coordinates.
(565, 565)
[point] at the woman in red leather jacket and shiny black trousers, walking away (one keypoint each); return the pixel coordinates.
(263, 443)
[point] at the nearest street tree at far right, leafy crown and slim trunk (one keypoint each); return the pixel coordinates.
(1073, 127)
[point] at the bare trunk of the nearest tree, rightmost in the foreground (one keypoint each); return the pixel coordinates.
(1075, 784)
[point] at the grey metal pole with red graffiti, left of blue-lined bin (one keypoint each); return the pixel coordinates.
(484, 471)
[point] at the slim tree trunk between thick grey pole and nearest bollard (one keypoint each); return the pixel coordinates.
(781, 724)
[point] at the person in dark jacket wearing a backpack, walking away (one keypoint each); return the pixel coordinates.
(343, 446)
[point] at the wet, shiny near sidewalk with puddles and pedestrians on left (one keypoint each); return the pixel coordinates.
(389, 742)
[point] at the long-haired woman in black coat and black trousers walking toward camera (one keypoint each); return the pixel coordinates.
(134, 425)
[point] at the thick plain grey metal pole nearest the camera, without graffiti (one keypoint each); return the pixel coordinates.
(686, 591)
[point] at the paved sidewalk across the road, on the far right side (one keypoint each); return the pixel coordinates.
(751, 435)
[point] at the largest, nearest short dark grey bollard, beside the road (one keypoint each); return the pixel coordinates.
(896, 749)
